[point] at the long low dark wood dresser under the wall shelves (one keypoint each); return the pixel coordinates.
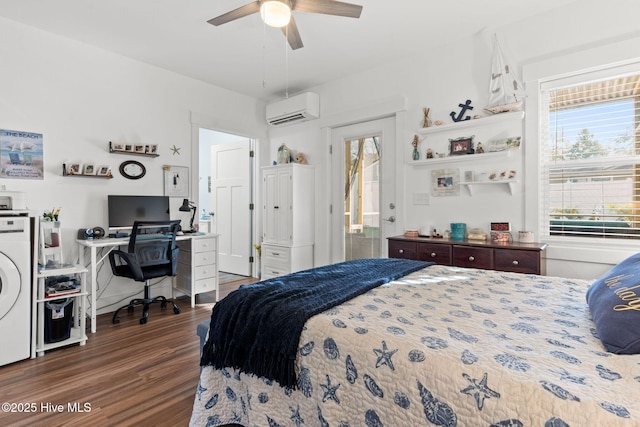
(504, 256)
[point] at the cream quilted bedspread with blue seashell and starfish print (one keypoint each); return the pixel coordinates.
(442, 346)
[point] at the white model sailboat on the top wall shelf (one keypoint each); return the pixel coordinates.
(506, 91)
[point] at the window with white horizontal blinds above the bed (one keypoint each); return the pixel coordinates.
(591, 156)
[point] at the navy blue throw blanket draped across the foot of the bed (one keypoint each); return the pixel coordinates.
(256, 328)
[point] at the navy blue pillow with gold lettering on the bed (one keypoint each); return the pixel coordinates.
(614, 301)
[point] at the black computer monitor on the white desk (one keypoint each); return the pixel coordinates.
(124, 210)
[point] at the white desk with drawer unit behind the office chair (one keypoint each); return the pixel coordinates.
(201, 248)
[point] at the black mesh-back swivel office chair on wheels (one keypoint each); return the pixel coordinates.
(148, 256)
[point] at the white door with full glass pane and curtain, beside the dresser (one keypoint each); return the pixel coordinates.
(363, 189)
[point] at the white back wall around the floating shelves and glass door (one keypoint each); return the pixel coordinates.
(444, 75)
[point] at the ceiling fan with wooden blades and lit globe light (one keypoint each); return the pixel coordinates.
(277, 13)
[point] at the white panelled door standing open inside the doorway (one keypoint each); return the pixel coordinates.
(230, 200)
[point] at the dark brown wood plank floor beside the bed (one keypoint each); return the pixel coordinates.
(126, 374)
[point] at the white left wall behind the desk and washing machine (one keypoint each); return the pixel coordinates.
(80, 98)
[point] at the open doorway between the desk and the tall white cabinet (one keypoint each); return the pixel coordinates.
(226, 197)
